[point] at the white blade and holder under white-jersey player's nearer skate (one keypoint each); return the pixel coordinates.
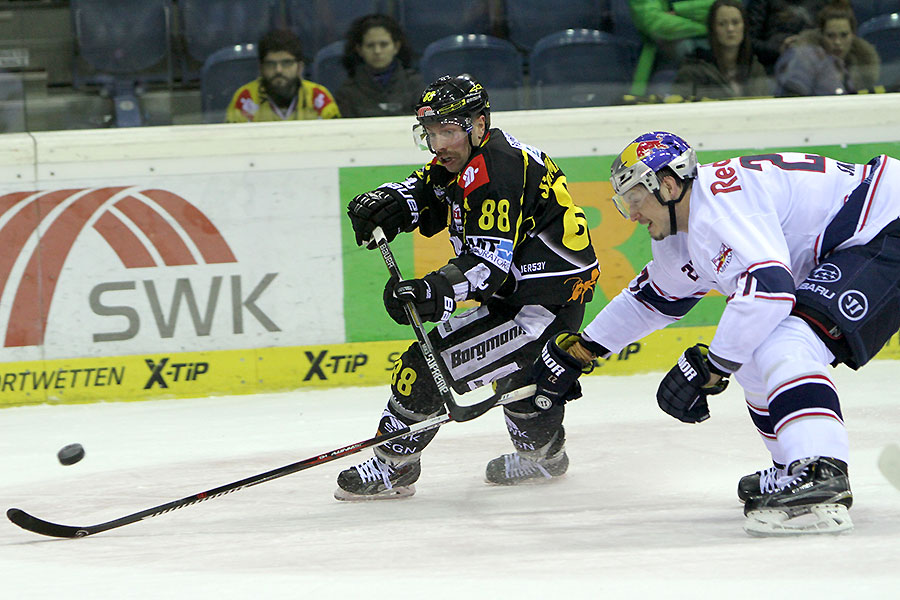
(820, 518)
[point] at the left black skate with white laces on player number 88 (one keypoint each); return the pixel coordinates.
(376, 479)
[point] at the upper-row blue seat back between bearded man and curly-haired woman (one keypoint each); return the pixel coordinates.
(321, 22)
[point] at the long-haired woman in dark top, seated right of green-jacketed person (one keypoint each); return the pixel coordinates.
(729, 69)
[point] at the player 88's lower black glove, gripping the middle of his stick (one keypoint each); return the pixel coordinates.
(432, 297)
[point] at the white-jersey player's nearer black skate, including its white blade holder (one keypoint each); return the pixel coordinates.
(812, 498)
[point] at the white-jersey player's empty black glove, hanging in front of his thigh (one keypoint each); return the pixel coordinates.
(682, 392)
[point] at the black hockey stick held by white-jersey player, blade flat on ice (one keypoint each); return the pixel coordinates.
(35, 525)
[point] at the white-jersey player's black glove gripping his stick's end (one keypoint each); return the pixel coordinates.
(555, 372)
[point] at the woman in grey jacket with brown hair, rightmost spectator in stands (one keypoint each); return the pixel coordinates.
(828, 60)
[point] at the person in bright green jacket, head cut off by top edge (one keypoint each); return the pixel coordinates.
(664, 24)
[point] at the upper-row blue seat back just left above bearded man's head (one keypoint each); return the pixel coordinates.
(208, 25)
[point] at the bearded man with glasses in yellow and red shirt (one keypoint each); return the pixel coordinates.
(281, 93)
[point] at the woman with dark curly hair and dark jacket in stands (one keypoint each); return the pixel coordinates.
(377, 58)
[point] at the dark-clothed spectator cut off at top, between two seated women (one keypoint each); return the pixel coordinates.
(774, 25)
